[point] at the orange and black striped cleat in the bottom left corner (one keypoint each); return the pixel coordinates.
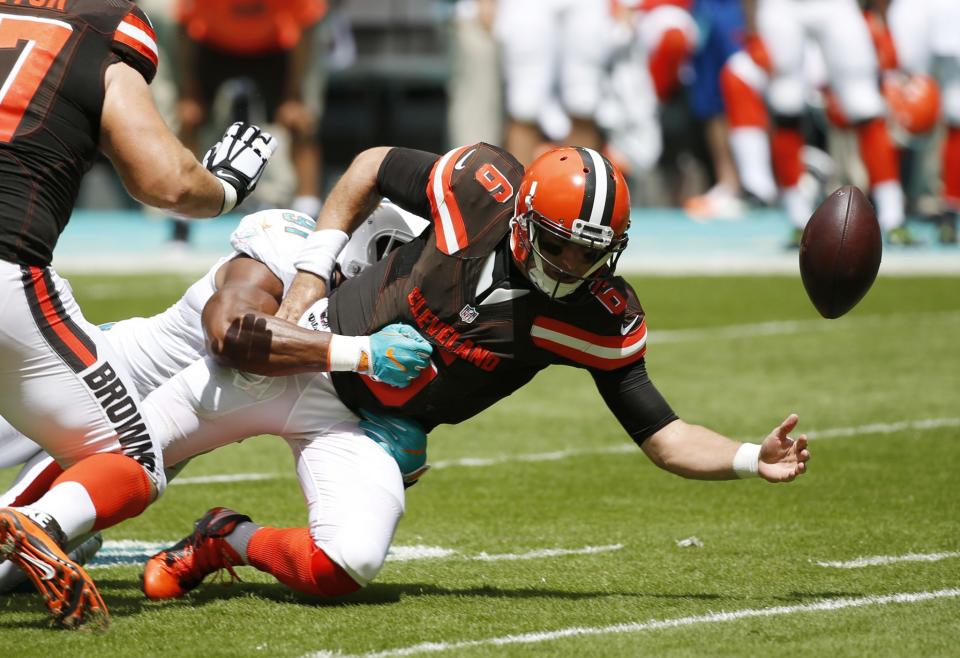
(70, 594)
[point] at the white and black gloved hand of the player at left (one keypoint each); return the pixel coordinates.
(239, 159)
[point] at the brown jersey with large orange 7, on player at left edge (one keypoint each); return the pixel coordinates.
(53, 55)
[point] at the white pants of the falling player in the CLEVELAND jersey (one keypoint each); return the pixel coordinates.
(353, 488)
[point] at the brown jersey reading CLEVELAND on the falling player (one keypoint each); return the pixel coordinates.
(491, 330)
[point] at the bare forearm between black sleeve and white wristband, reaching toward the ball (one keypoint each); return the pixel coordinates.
(692, 451)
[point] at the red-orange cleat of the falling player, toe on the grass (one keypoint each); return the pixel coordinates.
(173, 572)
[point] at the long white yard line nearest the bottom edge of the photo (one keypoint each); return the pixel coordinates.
(829, 605)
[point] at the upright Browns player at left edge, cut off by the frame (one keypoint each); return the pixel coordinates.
(74, 78)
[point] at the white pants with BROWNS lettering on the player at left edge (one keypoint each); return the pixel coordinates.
(61, 382)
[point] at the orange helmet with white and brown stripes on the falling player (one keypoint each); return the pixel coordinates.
(571, 218)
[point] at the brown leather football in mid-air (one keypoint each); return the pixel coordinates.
(840, 252)
